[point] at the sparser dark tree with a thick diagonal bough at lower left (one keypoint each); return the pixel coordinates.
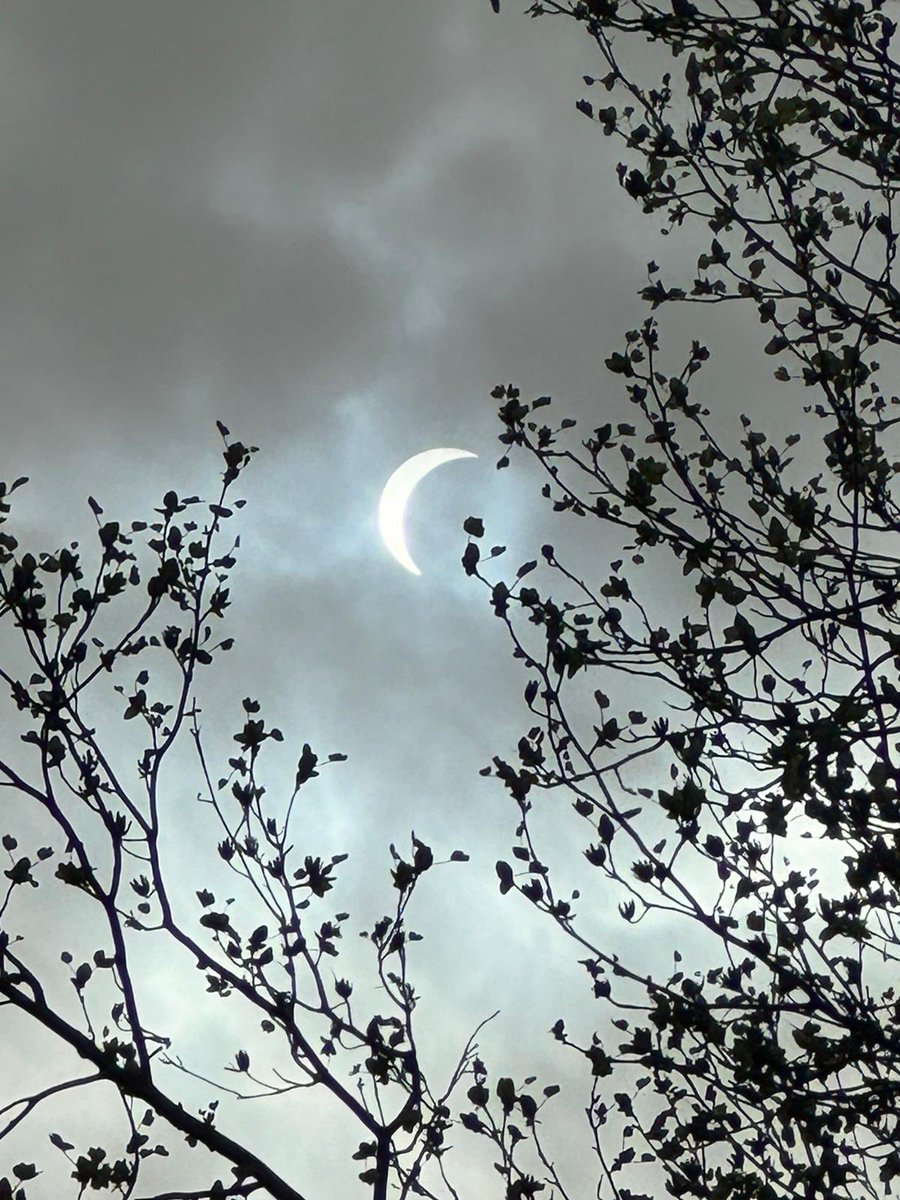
(95, 839)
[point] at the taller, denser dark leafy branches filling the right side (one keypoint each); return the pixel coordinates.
(740, 783)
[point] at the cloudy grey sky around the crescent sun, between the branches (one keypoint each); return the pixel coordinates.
(335, 226)
